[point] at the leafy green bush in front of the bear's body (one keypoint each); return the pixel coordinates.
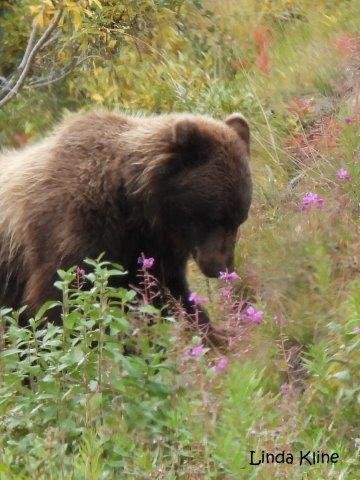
(81, 377)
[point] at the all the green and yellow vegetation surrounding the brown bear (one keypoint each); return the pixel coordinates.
(107, 396)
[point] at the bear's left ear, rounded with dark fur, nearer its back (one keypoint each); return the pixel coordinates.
(189, 142)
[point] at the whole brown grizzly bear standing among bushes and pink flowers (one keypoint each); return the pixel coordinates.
(169, 187)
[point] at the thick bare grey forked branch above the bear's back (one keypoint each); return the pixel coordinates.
(13, 86)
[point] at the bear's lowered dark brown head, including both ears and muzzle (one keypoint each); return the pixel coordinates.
(201, 186)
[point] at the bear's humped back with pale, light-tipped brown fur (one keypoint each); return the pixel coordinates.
(42, 185)
